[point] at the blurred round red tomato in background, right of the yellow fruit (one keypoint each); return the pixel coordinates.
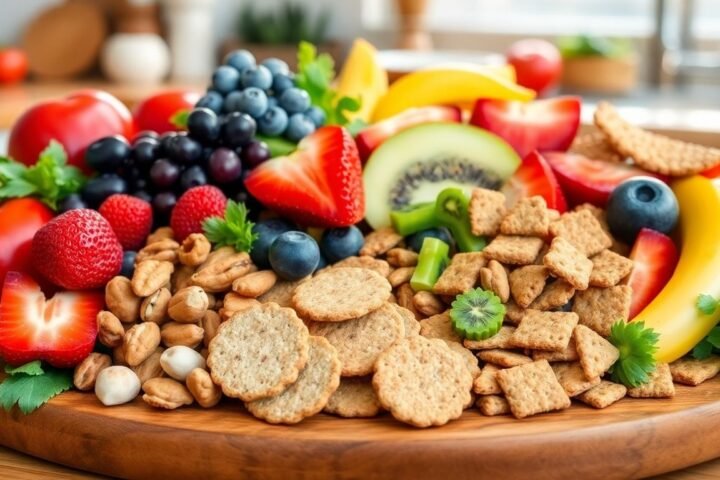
(537, 63)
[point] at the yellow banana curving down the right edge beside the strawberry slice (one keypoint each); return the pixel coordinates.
(673, 313)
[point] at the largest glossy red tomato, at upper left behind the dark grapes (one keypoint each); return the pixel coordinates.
(75, 121)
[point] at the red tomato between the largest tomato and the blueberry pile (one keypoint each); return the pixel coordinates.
(154, 113)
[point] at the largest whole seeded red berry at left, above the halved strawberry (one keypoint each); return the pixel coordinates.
(77, 250)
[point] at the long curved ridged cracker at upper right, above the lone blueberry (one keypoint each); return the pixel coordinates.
(651, 151)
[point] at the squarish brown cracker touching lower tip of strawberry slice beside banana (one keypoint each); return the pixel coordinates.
(599, 308)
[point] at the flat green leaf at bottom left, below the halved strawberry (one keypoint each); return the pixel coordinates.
(31, 391)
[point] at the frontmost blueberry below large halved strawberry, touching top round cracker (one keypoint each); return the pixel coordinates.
(294, 255)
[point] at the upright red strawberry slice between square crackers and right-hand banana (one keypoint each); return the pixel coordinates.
(655, 258)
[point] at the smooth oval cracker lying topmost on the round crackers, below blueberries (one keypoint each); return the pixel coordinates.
(339, 294)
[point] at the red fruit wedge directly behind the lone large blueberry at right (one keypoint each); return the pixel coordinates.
(586, 180)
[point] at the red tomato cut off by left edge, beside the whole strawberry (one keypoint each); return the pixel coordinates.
(19, 220)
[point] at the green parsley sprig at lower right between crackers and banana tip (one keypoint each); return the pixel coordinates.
(637, 346)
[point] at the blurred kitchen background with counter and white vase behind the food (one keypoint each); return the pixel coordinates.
(659, 59)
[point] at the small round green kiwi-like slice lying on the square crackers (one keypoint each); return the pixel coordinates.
(477, 314)
